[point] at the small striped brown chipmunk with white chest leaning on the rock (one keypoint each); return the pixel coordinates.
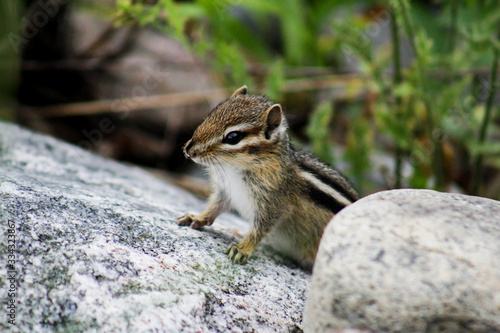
(286, 195)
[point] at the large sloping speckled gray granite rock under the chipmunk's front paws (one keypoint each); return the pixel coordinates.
(97, 250)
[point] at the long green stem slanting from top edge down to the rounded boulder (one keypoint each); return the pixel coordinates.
(437, 151)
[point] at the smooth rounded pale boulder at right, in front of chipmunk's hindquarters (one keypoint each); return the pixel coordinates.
(409, 261)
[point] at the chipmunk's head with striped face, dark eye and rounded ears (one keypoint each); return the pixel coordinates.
(239, 131)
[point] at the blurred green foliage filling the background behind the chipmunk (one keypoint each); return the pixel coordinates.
(423, 105)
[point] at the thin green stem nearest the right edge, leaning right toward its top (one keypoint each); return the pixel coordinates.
(478, 164)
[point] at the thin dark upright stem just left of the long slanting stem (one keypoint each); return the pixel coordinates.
(398, 78)
